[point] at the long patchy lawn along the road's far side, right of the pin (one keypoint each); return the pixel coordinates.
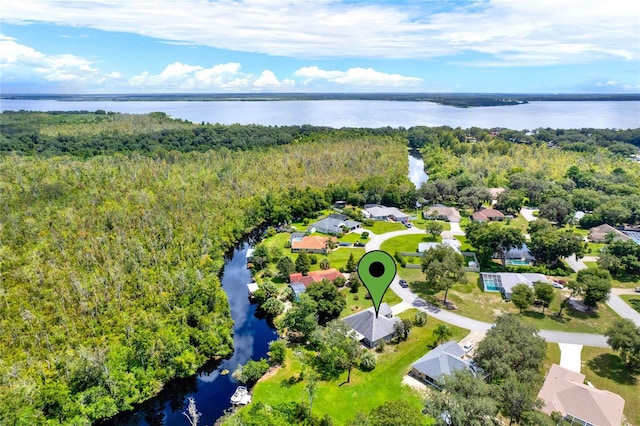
(474, 303)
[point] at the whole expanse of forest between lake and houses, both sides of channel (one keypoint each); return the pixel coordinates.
(113, 230)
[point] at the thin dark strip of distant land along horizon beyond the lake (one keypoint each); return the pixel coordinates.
(460, 100)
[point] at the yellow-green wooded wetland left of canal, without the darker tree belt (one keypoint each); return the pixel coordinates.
(109, 265)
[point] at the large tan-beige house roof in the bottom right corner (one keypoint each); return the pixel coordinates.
(564, 391)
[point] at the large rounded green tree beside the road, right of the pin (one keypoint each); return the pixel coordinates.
(443, 267)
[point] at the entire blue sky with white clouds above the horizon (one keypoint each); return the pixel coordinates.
(212, 46)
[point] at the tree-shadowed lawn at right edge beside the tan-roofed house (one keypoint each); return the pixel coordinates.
(606, 371)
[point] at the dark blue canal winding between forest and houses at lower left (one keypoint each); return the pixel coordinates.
(211, 389)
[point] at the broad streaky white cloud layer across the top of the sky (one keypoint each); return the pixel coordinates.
(557, 32)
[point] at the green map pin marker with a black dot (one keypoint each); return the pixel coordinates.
(377, 270)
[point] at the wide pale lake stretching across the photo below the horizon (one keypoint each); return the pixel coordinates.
(363, 113)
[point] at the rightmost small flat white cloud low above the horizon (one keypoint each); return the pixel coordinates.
(357, 77)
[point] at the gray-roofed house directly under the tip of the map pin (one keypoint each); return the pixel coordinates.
(369, 330)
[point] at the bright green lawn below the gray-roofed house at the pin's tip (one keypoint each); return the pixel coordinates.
(367, 390)
